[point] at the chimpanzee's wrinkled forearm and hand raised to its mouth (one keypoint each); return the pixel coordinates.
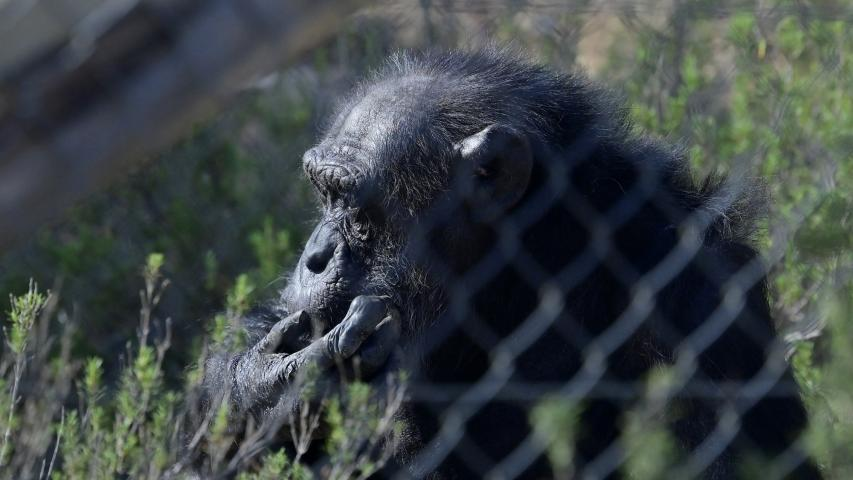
(262, 382)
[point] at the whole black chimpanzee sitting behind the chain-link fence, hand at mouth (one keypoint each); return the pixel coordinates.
(500, 231)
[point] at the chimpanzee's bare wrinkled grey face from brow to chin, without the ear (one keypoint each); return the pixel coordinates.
(348, 169)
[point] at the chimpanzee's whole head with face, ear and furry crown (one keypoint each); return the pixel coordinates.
(420, 171)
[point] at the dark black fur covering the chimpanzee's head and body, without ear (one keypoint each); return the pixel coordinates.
(613, 243)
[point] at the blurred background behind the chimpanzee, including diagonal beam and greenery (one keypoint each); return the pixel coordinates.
(131, 127)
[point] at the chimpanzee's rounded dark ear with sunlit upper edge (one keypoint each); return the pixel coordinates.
(498, 162)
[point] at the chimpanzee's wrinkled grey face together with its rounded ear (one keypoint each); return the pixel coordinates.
(363, 241)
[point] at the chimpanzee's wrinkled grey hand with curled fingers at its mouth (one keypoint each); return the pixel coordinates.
(268, 377)
